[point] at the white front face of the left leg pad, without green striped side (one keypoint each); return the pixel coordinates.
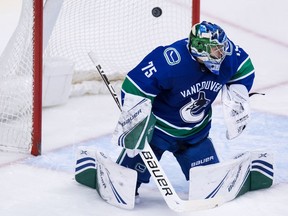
(115, 184)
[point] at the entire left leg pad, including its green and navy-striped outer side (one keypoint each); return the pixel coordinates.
(114, 183)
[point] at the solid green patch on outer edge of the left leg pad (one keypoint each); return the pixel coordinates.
(87, 178)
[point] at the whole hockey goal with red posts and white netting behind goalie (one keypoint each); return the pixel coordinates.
(121, 33)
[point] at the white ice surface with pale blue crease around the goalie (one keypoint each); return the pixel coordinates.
(45, 185)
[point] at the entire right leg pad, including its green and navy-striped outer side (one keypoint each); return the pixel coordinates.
(230, 179)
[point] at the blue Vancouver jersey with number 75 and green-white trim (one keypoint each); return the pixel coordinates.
(181, 89)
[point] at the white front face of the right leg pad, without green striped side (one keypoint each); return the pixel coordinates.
(222, 179)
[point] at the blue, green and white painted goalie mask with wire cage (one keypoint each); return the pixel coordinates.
(209, 44)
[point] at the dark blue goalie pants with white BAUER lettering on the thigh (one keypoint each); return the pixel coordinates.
(188, 153)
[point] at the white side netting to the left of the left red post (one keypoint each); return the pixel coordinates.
(16, 86)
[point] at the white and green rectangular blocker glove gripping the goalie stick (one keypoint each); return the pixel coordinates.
(135, 124)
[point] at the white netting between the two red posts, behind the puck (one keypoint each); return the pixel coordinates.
(121, 33)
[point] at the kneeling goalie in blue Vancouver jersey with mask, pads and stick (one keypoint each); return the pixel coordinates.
(167, 106)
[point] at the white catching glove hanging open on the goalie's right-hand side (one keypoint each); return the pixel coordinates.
(236, 108)
